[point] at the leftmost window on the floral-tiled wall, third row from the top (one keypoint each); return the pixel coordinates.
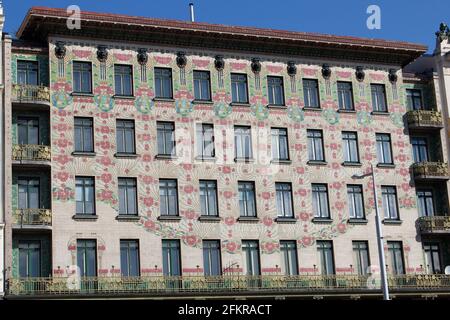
(85, 195)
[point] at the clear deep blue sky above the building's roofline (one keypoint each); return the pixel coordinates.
(408, 20)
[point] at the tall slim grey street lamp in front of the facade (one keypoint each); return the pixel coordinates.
(384, 283)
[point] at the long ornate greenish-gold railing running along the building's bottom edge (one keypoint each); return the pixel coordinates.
(200, 285)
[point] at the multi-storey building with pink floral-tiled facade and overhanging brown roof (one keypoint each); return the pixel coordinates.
(160, 157)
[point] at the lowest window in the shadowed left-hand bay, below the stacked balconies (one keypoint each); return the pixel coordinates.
(29, 258)
